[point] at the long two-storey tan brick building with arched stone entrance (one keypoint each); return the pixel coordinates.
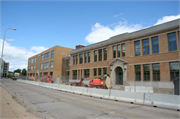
(149, 57)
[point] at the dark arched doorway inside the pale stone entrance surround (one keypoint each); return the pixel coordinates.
(119, 76)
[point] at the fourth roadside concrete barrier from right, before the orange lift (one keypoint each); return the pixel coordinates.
(79, 90)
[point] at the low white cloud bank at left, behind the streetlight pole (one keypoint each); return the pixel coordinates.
(18, 56)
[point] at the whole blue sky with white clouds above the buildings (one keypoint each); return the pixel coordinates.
(44, 24)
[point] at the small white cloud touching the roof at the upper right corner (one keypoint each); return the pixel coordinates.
(167, 19)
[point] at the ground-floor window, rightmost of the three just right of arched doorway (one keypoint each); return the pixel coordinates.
(156, 72)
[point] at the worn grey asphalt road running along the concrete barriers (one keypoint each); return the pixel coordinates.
(49, 104)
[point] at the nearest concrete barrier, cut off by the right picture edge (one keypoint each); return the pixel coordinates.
(162, 100)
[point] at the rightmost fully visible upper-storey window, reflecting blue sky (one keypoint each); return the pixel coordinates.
(172, 41)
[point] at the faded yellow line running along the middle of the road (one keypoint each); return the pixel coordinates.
(117, 113)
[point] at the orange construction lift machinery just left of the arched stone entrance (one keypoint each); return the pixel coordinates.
(94, 82)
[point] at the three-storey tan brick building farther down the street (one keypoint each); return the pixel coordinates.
(48, 62)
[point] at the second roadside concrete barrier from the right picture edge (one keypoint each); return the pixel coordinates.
(125, 96)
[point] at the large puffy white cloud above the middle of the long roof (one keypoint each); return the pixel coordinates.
(100, 32)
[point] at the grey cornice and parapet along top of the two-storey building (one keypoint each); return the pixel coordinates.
(132, 35)
